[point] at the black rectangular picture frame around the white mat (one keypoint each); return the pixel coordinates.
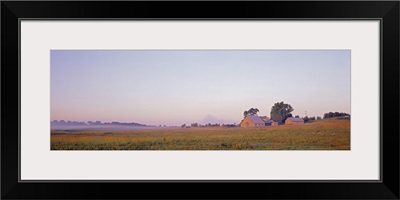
(386, 11)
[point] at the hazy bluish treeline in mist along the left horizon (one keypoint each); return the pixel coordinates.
(92, 123)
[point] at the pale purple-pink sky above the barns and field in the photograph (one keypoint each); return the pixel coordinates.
(172, 87)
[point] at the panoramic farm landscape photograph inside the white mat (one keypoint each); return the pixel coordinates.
(200, 99)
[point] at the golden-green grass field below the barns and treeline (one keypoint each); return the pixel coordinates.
(319, 135)
